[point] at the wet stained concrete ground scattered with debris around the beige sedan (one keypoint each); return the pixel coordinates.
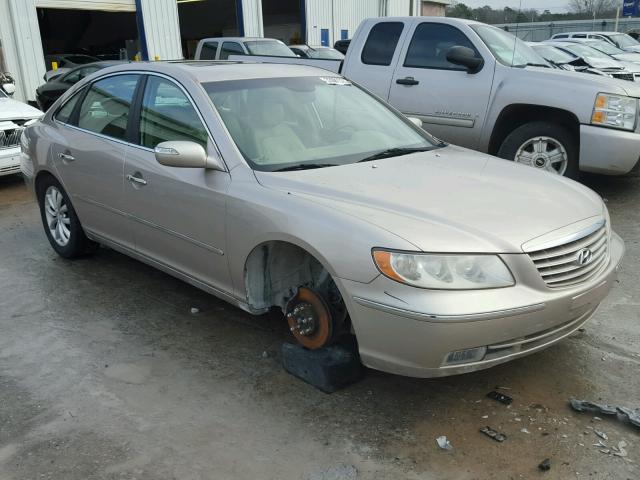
(105, 374)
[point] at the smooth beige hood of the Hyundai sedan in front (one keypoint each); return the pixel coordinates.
(447, 200)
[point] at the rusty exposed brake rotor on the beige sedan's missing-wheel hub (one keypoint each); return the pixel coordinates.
(309, 319)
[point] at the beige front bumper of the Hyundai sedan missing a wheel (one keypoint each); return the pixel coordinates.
(398, 331)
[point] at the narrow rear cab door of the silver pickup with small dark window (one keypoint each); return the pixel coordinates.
(378, 54)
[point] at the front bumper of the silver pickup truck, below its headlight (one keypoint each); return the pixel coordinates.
(607, 150)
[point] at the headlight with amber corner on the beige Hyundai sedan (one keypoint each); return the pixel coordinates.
(445, 272)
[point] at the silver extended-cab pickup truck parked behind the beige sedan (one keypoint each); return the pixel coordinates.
(477, 86)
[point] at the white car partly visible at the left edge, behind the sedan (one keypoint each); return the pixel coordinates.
(14, 116)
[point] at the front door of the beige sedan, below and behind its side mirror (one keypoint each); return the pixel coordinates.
(178, 213)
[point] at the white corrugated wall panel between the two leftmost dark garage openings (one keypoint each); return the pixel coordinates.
(162, 29)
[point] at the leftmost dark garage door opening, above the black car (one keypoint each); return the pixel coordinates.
(97, 34)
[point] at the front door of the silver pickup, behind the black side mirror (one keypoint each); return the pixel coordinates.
(451, 102)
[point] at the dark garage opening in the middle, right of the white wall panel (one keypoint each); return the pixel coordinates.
(204, 19)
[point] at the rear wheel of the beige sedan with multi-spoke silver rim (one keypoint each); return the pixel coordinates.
(60, 221)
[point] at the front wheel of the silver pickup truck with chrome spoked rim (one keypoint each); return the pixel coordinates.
(543, 145)
